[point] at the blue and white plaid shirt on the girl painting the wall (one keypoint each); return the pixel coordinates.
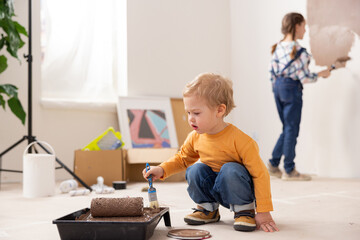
(298, 70)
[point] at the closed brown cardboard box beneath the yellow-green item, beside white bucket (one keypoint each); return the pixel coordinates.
(110, 164)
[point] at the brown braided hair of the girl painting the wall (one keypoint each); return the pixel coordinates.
(288, 25)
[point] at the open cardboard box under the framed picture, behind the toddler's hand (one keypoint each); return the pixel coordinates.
(138, 157)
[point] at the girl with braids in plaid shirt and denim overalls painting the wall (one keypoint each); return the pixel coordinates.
(289, 71)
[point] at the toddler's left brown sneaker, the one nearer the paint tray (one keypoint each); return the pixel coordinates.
(202, 216)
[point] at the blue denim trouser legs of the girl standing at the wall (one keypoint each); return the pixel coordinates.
(288, 98)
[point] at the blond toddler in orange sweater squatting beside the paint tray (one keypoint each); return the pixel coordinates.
(230, 171)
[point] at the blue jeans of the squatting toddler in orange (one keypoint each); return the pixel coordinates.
(232, 187)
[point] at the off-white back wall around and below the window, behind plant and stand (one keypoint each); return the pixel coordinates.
(169, 43)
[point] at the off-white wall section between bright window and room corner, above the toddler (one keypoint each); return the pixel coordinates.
(172, 41)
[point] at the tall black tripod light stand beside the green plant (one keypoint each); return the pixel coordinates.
(29, 136)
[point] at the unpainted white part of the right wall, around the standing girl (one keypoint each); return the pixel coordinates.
(329, 131)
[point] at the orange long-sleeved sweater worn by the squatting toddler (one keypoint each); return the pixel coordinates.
(229, 145)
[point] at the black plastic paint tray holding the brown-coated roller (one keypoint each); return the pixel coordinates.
(70, 227)
